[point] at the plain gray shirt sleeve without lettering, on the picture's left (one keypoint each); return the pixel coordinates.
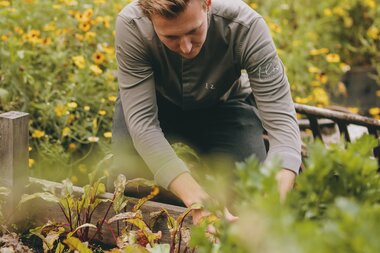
(138, 98)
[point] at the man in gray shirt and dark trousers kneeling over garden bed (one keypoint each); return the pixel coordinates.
(180, 64)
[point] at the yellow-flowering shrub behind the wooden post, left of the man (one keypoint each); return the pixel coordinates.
(58, 64)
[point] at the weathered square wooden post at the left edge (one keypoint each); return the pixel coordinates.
(14, 154)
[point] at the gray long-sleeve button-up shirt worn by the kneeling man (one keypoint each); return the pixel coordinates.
(237, 39)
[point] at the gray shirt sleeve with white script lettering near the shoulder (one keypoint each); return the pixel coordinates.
(271, 90)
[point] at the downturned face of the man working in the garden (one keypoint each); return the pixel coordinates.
(186, 33)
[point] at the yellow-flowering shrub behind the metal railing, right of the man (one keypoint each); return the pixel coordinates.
(320, 40)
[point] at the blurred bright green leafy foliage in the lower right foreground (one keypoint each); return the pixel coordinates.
(334, 207)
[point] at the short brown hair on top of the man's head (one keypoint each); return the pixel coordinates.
(165, 8)
